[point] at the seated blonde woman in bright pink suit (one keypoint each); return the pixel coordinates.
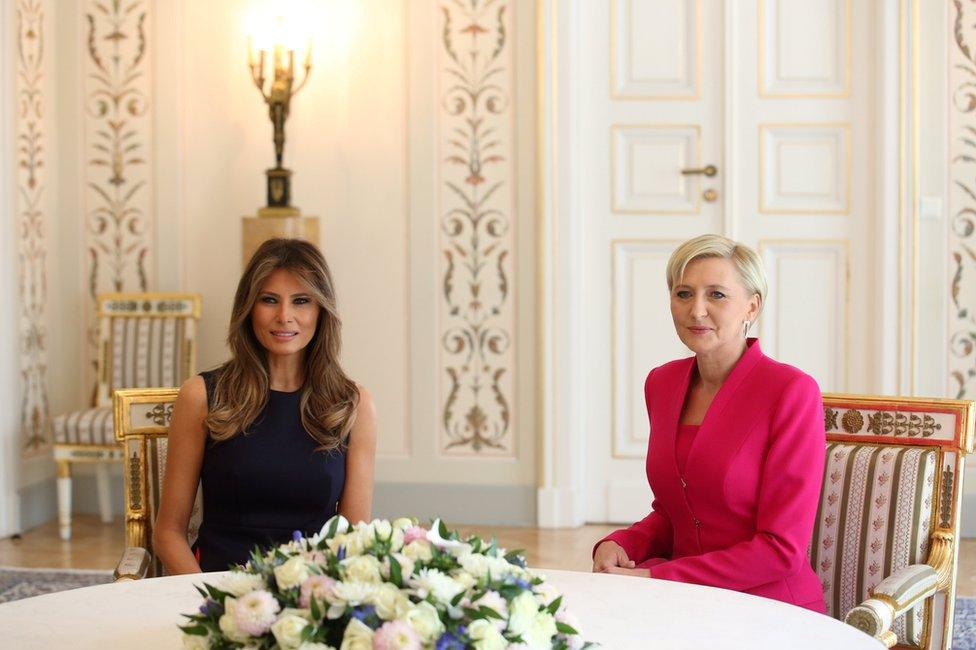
(736, 452)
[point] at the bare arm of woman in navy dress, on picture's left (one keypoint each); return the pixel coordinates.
(187, 438)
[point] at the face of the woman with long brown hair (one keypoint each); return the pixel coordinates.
(284, 316)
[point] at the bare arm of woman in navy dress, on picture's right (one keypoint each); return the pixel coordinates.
(356, 503)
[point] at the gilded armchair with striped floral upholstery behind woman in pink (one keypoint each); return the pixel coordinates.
(885, 539)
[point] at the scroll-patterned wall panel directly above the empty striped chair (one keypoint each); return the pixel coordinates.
(118, 147)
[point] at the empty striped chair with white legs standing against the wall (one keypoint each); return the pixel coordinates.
(144, 340)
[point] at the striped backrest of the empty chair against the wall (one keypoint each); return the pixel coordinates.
(145, 340)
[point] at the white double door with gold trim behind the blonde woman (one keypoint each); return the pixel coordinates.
(752, 118)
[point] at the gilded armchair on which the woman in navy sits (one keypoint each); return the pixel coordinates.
(142, 418)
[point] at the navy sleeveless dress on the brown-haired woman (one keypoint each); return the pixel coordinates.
(261, 486)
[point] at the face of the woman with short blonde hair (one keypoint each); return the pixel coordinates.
(710, 305)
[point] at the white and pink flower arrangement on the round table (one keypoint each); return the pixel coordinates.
(382, 585)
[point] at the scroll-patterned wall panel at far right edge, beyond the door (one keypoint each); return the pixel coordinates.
(962, 206)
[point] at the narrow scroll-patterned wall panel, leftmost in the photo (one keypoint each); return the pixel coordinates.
(32, 216)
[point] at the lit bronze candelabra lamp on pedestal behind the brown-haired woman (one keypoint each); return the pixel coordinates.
(279, 218)
